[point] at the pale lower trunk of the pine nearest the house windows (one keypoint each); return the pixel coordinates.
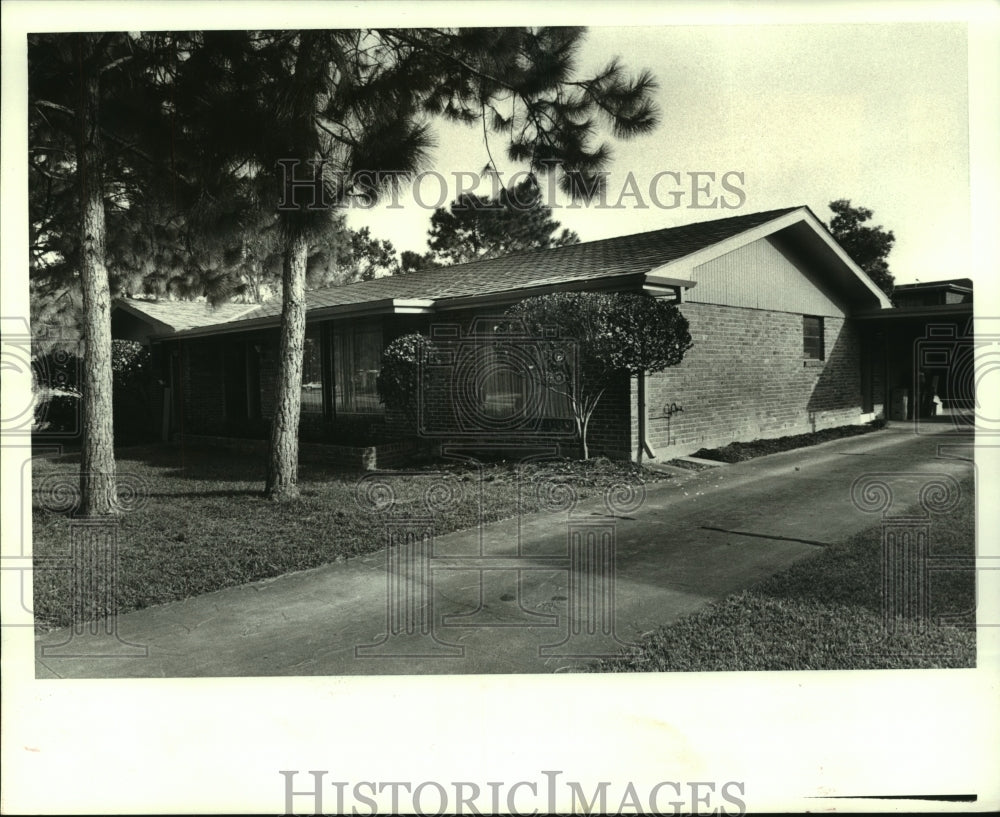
(283, 457)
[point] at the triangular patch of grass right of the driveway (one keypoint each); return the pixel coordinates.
(826, 613)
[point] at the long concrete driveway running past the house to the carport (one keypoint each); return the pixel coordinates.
(542, 593)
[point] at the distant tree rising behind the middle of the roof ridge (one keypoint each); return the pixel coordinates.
(476, 227)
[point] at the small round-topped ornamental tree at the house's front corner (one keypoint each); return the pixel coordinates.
(613, 334)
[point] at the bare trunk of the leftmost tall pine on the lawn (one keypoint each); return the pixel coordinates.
(97, 464)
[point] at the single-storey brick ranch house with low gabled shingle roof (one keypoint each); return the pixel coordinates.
(772, 301)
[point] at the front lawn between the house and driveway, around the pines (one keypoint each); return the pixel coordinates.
(206, 526)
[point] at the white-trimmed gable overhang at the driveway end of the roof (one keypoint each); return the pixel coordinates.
(803, 231)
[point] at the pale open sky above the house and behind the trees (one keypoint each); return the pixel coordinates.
(808, 113)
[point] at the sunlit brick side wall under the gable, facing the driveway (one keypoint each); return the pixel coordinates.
(745, 378)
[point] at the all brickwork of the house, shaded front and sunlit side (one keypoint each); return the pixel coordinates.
(744, 378)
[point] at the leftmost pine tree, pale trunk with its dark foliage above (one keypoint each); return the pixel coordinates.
(94, 128)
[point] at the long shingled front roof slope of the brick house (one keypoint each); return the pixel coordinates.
(622, 255)
